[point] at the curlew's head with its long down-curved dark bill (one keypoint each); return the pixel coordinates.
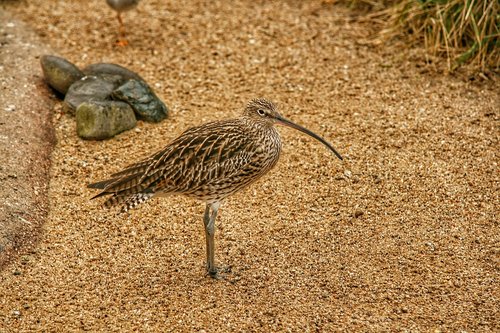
(264, 112)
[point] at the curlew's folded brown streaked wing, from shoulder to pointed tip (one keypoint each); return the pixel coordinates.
(210, 153)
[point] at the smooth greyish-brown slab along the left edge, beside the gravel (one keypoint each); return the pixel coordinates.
(26, 138)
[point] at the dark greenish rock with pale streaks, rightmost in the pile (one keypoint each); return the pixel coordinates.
(143, 100)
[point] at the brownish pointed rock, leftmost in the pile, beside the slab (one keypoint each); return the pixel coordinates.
(59, 73)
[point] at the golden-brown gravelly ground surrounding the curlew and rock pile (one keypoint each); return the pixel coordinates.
(401, 236)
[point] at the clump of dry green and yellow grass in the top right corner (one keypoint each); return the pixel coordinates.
(465, 31)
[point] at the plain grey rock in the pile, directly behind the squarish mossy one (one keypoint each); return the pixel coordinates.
(89, 88)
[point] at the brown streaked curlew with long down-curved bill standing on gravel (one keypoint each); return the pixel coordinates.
(208, 162)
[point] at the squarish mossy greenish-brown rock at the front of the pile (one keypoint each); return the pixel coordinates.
(103, 119)
